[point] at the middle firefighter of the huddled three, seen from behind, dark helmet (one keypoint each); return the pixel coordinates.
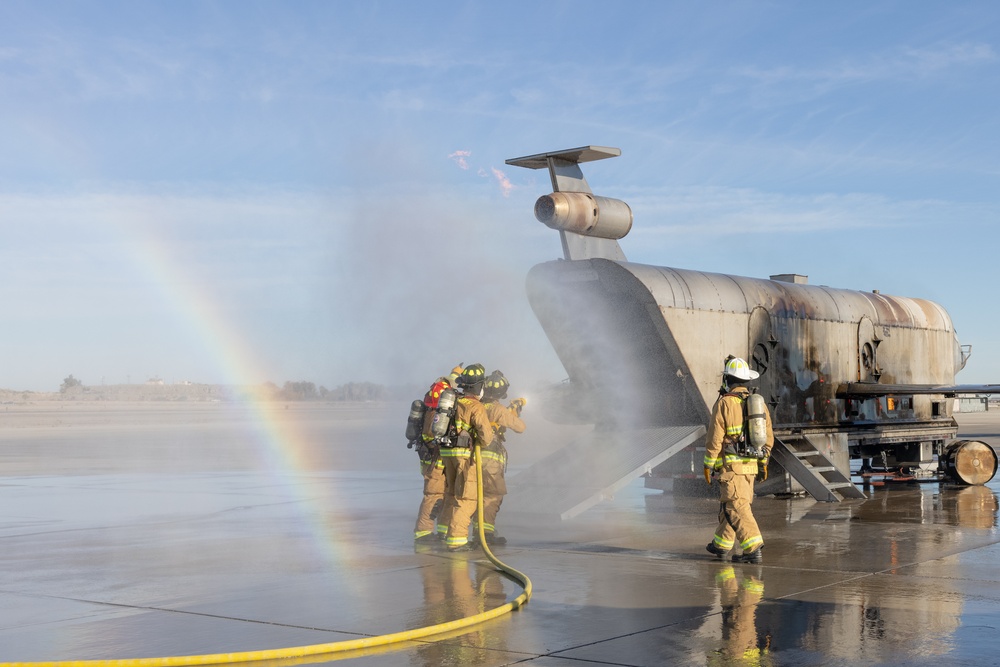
(472, 426)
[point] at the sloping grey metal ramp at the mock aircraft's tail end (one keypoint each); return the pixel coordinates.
(593, 468)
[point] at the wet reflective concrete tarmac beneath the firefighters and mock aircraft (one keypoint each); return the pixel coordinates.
(149, 531)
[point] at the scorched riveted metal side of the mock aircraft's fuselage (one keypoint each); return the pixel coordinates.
(812, 341)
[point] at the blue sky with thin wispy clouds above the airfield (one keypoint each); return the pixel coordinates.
(251, 191)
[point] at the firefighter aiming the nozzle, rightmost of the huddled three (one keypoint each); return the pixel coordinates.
(494, 461)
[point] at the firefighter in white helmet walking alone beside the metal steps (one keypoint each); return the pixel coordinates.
(728, 453)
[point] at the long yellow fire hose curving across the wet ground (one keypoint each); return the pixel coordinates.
(333, 647)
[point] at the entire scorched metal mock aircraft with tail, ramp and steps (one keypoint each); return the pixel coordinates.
(847, 375)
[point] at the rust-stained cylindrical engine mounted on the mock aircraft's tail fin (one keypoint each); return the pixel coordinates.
(585, 214)
